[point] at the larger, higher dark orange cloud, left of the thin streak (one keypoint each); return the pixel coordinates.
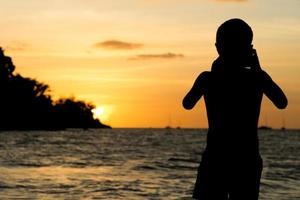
(116, 44)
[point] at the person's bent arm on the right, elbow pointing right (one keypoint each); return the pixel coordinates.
(273, 91)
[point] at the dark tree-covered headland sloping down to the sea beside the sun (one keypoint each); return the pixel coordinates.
(26, 104)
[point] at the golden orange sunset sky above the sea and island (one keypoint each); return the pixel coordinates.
(136, 59)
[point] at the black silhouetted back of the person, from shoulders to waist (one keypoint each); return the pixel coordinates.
(233, 104)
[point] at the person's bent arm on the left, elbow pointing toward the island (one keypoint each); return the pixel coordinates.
(196, 92)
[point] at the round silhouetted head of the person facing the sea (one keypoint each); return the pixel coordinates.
(234, 39)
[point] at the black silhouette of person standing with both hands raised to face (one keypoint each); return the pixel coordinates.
(231, 165)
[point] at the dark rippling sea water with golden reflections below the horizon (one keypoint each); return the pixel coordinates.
(129, 164)
